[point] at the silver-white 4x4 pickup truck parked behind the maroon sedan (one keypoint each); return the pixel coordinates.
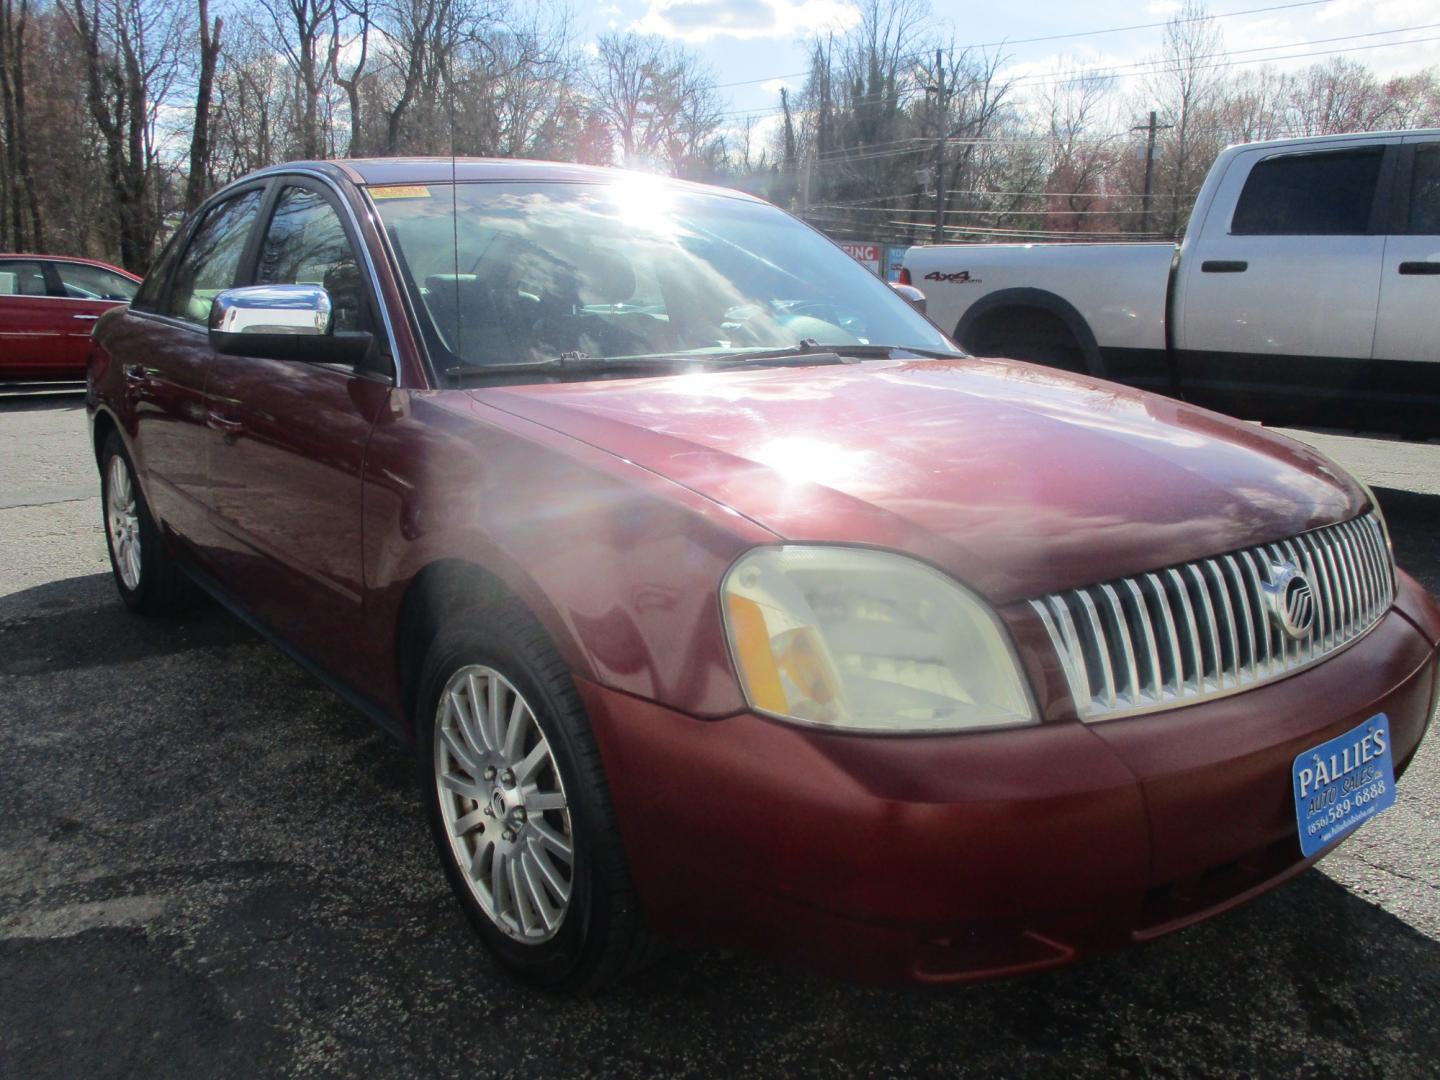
(1307, 290)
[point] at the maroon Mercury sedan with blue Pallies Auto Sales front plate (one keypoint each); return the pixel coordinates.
(724, 600)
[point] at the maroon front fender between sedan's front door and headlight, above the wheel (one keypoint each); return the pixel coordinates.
(620, 565)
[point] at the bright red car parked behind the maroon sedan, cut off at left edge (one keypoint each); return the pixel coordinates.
(48, 307)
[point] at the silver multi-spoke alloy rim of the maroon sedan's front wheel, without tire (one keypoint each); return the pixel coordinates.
(503, 804)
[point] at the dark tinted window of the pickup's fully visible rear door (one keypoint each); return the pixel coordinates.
(1310, 195)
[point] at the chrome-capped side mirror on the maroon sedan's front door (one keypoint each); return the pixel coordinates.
(283, 323)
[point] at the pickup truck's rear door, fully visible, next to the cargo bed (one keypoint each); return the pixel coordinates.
(1281, 287)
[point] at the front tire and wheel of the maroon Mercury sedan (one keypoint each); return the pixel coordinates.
(487, 811)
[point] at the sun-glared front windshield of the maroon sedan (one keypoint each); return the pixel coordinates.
(513, 274)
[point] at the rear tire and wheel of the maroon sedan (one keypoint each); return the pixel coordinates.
(148, 575)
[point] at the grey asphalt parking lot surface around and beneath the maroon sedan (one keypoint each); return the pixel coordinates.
(211, 866)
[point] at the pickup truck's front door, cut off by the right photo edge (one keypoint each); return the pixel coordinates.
(1410, 270)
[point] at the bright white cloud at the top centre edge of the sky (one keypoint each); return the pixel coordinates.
(702, 21)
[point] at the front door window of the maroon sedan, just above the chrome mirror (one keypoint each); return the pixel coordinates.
(307, 246)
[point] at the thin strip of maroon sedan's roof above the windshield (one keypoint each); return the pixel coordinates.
(378, 172)
